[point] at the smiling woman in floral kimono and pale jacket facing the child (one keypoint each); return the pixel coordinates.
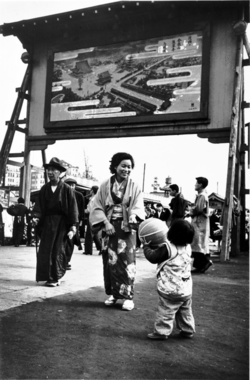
(117, 209)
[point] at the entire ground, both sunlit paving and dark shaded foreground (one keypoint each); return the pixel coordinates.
(68, 333)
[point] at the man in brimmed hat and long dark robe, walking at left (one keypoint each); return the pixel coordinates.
(56, 215)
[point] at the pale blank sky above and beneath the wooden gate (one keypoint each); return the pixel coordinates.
(181, 157)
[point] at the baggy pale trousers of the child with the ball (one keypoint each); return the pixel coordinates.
(170, 310)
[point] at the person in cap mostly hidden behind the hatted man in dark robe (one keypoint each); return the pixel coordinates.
(81, 205)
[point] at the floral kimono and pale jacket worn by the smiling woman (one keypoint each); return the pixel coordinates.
(118, 251)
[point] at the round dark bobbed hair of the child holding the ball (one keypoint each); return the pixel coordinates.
(181, 232)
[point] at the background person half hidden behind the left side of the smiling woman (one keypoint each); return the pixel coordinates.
(91, 237)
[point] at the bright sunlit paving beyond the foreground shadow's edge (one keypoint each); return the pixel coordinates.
(17, 276)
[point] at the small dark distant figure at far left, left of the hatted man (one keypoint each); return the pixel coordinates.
(20, 212)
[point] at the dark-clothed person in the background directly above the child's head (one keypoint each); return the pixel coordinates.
(178, 204)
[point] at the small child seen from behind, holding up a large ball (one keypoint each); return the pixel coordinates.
(174, 281)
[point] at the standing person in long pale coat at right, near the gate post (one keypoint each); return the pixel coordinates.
(200, 221)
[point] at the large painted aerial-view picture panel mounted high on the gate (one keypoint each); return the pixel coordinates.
(154, 79)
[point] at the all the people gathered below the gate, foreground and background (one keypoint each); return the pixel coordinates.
(114, 212)
